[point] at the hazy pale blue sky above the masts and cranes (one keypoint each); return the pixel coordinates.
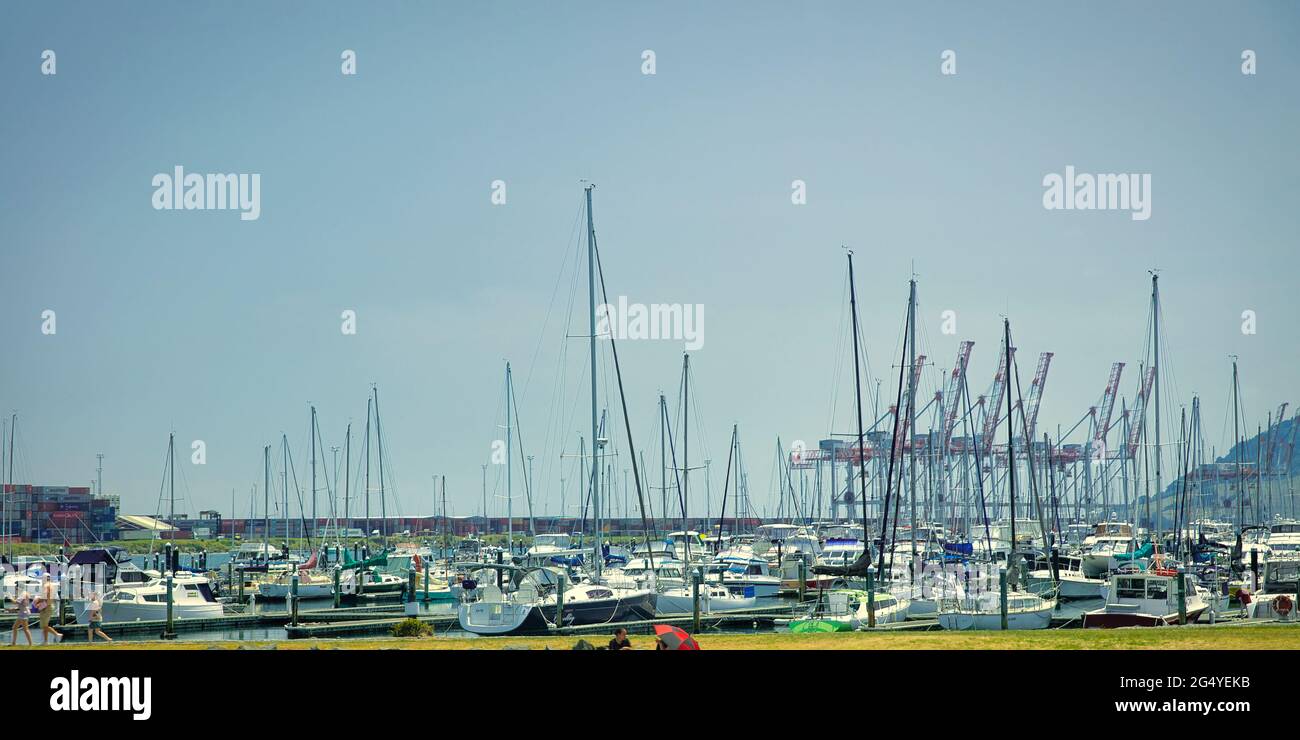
(376, 197)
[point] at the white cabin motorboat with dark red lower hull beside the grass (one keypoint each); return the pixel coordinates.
(1147, 599)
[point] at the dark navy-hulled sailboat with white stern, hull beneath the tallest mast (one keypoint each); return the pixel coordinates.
(536, 600)
